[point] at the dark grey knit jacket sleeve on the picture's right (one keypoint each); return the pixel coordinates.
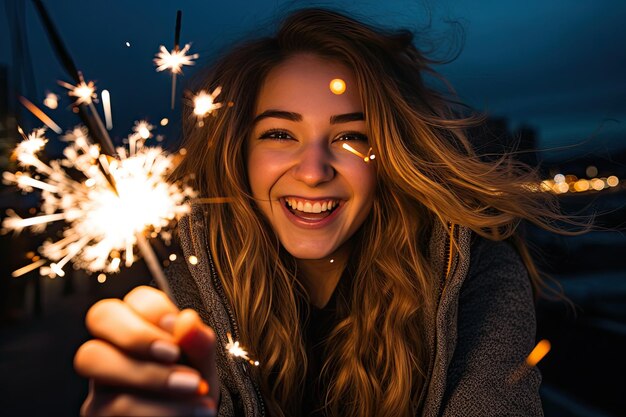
(496, 331)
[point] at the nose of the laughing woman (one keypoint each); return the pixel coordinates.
(314, 165)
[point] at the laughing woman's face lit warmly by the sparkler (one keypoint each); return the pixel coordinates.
(314, 193)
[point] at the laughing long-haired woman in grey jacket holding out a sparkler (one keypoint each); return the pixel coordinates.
(365, 281)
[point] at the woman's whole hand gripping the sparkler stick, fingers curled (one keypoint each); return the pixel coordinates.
(132, 362)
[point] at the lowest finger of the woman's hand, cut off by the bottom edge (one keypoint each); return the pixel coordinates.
(102, 402)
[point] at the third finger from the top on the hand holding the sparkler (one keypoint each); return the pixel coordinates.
(105, 364)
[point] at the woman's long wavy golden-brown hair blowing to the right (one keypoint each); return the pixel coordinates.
(428, 173)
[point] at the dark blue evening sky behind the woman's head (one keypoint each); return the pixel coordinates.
(558, 65)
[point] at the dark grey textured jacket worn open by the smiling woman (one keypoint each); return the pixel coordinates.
(483, 330)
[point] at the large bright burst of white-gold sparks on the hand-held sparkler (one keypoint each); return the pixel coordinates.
(103, 222)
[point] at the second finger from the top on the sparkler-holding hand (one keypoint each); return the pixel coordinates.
(116, 322)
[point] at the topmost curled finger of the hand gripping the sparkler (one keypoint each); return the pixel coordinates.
(154, 306)
